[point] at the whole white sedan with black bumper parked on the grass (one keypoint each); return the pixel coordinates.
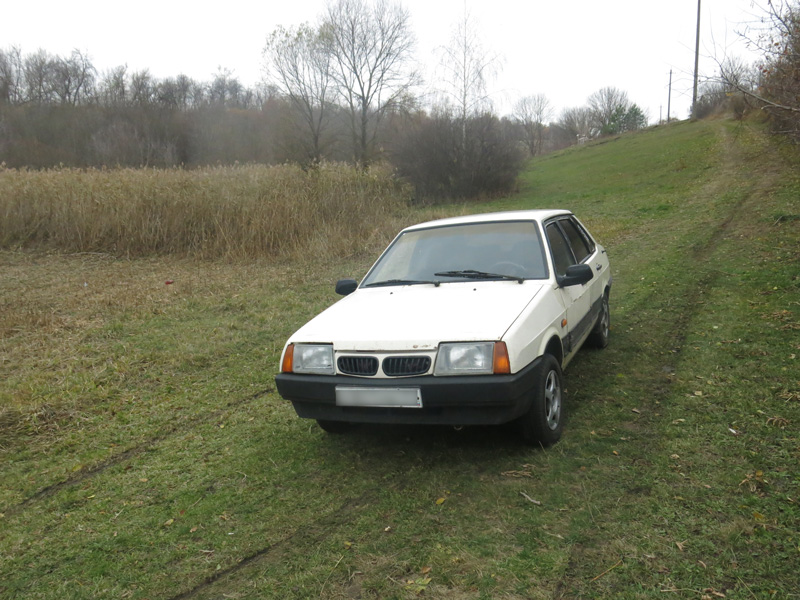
(461, 321)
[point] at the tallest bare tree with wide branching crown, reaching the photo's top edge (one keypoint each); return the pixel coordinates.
(371, 47)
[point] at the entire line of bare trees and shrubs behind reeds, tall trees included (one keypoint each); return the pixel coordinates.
(346, 90)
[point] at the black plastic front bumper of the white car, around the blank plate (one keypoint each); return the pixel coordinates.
(467, 400)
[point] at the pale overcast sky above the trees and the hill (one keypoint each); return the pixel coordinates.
(563, 49)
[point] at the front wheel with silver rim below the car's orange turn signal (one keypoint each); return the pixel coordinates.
(543, 423)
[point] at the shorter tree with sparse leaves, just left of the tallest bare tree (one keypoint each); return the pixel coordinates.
(299, 62)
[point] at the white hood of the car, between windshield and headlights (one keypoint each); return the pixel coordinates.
(419, 317)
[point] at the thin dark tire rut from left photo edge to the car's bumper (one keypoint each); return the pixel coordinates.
(126, 455)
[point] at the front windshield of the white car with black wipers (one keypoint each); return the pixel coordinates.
(497, 250)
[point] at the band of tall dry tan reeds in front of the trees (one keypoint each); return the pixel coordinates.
(232, 212)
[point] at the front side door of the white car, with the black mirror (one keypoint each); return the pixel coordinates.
(577, 299)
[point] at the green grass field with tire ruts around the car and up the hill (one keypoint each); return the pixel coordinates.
(146, 454)
